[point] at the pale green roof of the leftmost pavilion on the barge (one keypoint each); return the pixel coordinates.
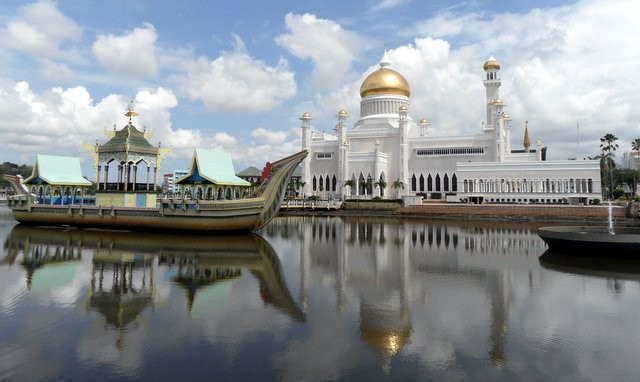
(58, 171)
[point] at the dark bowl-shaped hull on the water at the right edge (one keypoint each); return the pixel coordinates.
(592, 240)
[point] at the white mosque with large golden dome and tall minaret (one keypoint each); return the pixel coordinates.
(387, 154)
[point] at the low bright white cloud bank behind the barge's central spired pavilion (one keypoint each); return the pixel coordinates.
(59, 121)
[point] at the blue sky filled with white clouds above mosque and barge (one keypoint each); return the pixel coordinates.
(237, 76)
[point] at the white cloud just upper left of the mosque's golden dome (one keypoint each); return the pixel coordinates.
(331, 48)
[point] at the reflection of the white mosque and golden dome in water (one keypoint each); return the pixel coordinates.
(380, 259)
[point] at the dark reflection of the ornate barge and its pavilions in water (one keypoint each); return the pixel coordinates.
(124, 268)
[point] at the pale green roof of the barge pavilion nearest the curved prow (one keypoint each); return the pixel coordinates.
(210, 166)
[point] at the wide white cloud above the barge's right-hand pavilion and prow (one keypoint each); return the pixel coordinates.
(237, 82)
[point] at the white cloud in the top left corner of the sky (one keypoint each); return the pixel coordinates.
(42, 31)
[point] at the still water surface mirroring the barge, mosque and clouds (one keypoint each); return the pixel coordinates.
(313, 298)
